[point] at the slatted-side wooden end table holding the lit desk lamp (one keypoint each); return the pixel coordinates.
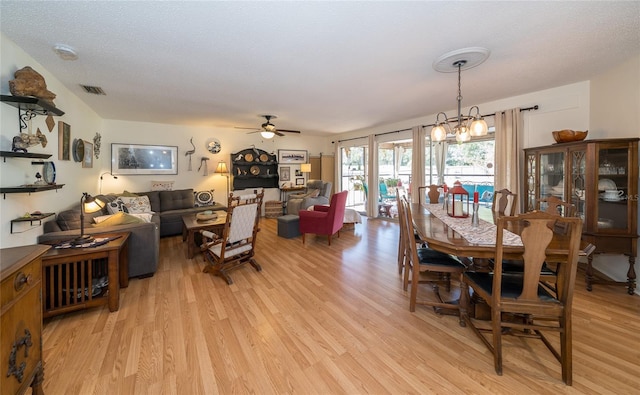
(79, 278)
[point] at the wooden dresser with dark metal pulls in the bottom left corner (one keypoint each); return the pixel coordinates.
(21, 319)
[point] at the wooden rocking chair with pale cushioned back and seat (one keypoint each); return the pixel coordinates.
(236, 246)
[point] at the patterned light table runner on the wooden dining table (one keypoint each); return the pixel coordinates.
(484, 234)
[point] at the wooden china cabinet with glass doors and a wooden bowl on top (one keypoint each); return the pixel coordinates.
(600, 178)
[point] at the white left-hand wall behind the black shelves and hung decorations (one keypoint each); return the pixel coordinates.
(84, 125)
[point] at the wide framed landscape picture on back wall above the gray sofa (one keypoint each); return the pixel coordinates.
(138, 159)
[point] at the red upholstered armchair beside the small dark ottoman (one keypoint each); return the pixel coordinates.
(324, 220)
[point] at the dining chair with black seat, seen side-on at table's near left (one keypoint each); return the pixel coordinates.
(427, 266)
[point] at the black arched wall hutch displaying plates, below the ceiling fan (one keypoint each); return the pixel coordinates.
(254, 168)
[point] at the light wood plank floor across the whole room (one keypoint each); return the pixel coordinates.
(319, 320)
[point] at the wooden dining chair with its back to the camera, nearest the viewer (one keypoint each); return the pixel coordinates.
(522, 296)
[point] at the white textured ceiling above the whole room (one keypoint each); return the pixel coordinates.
(322, 67)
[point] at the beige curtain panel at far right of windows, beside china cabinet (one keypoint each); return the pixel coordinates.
(509, 138)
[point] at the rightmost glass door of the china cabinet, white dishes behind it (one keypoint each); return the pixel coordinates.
(613, 188)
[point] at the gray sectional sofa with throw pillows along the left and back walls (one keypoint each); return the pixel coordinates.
(144, 241)
